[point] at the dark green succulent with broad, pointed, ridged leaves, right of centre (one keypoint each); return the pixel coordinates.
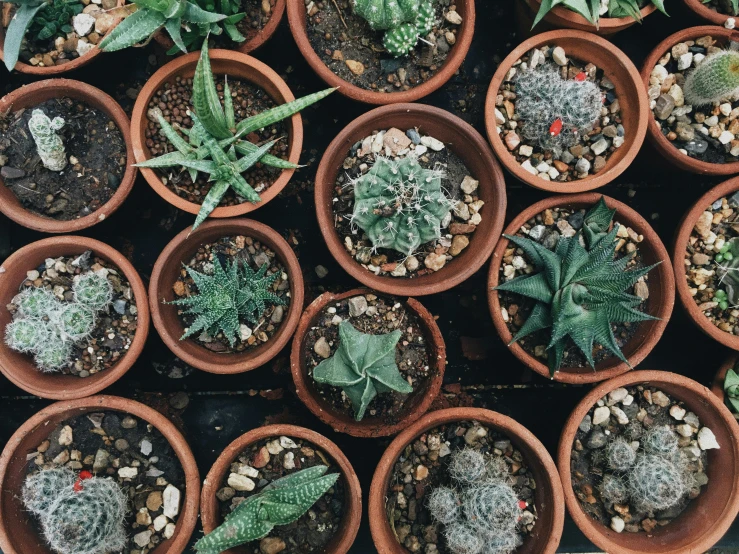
(579, 290)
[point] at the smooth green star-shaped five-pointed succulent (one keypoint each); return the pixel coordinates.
(363, 366)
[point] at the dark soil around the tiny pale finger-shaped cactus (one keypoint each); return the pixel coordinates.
(94, 146)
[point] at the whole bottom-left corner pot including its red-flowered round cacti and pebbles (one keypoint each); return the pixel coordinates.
(97, 475)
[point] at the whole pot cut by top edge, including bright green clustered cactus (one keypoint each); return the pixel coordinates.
(399, 53)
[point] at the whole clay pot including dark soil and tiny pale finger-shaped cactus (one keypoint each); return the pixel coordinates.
(65, 159)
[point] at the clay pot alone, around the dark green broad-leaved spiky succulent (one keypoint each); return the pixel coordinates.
(659, 304)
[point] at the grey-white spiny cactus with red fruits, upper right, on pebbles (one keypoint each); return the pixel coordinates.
(554, 112)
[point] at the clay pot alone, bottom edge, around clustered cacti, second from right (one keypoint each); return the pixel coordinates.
(548, 499)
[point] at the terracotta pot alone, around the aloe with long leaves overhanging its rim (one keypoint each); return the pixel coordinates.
(236, 66)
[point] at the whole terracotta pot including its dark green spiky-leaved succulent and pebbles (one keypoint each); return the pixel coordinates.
(596, 239)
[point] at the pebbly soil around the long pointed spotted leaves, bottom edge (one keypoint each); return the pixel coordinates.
(271, 459)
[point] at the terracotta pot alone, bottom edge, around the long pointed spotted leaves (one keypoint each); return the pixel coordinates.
(210, 511)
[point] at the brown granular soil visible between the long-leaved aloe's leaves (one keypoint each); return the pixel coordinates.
(173, 99)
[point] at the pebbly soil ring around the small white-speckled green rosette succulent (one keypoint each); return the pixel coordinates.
(246, 250)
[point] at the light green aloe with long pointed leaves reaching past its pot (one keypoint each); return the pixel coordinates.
(215, 139)
